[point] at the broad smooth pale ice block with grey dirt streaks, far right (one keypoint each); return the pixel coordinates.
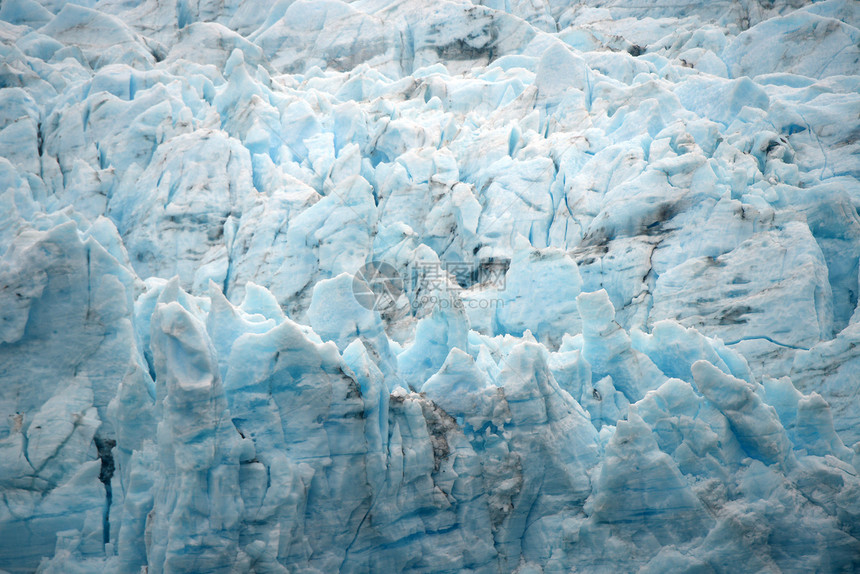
(689, 292)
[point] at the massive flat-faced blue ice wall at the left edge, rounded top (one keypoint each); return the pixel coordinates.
(67, 337)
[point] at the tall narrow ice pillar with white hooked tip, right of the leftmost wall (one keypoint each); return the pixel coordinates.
(197, 502)
